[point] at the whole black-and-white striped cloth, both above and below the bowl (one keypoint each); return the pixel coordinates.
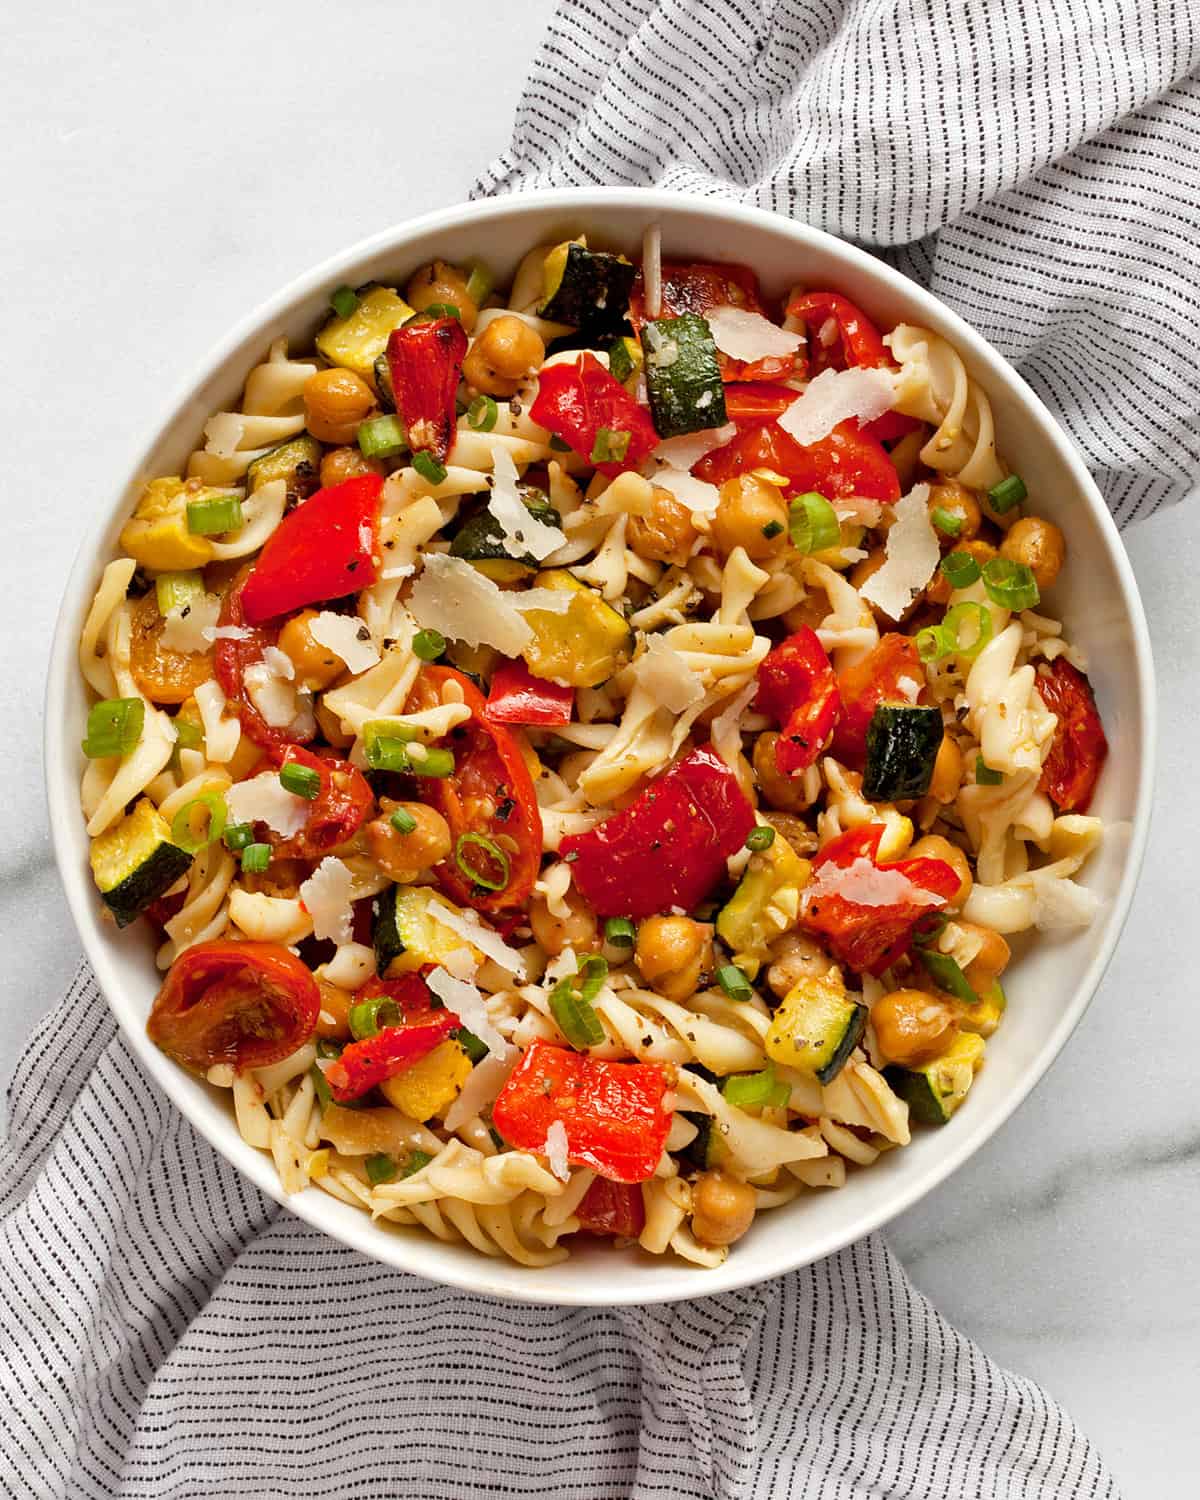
(167, 1333)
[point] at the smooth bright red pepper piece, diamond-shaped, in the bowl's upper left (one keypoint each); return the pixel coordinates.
(320, 551)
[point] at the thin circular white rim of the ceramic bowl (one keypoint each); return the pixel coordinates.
(491, 1277)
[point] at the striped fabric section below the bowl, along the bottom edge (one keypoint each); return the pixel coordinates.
(170, 1334)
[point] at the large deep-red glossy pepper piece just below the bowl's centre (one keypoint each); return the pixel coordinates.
(670, 847)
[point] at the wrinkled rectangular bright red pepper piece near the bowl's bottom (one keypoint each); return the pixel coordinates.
(614, 1114)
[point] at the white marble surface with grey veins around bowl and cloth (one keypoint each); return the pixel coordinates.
(164, 169)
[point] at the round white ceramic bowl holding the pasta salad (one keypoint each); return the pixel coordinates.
(1049, 986)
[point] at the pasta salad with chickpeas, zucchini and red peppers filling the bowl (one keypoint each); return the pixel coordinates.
(583, 751)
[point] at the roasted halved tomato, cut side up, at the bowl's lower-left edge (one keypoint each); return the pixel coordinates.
(248, 1004)
